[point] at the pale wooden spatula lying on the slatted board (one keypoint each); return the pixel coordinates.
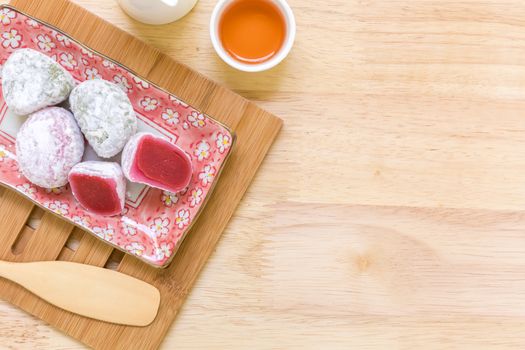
(87, 290)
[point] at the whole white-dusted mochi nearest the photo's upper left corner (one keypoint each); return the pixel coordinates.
(32, 81)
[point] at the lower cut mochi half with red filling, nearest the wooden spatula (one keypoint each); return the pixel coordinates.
(99, 187)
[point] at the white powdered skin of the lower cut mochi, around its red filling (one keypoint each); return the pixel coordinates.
(106, 170)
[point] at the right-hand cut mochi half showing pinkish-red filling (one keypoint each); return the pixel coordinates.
(154, 161)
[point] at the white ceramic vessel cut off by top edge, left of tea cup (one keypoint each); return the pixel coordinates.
(157, 11)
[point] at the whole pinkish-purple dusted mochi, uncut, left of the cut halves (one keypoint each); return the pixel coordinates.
(48, 145)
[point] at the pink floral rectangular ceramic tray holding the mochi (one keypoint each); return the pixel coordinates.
(154, 222)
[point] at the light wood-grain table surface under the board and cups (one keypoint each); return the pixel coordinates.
(390, 212)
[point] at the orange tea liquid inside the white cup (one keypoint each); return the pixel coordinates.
(252, 31)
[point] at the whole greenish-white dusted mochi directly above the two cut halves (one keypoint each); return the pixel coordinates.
(105, 115)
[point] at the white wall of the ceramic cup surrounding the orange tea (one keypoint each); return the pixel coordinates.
(289, 18)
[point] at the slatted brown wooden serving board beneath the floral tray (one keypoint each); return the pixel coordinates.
(20, 240)
